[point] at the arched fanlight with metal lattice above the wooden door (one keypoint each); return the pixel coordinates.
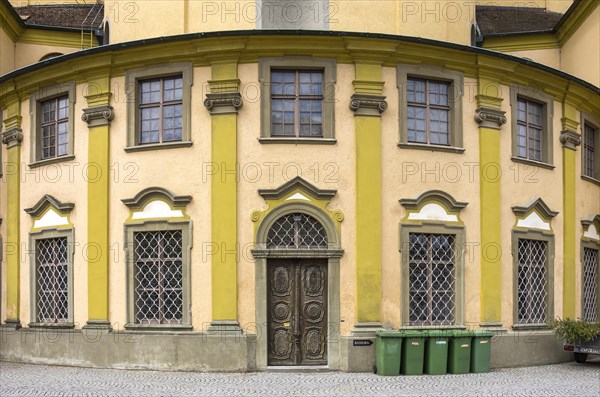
(297, 231)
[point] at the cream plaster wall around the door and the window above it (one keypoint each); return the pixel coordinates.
(325, 166)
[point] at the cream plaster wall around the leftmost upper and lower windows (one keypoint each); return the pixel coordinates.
(66, 182)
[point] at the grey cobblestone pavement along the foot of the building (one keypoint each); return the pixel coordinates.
(567, 379)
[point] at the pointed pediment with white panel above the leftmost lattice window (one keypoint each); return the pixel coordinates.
(49, 212)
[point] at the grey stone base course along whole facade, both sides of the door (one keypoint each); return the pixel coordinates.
(226, 352)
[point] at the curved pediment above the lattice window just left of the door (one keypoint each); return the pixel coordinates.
(156, 203)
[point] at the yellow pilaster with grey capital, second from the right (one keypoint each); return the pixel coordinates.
(490, 119)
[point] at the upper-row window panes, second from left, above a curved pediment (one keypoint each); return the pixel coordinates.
(160, 110)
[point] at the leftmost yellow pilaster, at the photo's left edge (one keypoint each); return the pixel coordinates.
(12, 137)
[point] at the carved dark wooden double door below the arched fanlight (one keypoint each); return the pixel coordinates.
(297, 311)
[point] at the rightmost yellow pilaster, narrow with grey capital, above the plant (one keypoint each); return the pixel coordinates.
(570, 139)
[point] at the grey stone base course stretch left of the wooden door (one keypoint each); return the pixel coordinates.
(158, 350)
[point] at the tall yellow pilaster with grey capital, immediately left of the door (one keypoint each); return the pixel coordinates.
(223, 101)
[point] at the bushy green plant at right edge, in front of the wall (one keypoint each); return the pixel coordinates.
(580, 337)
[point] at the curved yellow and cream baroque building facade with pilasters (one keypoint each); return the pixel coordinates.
(241, 186)
